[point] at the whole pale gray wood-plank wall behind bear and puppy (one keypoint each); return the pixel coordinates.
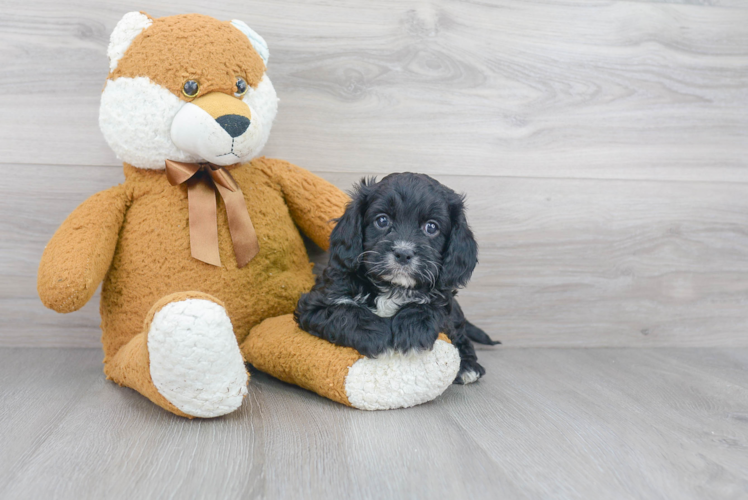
(603, 147)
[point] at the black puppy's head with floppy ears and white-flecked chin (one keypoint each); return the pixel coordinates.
(406, 230)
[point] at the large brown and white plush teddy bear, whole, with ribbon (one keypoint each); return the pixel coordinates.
(199, 251)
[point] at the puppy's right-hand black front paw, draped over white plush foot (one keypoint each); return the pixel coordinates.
(416, 327)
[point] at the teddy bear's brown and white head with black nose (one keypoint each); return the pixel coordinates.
(187, 88)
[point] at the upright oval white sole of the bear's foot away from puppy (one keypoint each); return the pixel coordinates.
(195, 359)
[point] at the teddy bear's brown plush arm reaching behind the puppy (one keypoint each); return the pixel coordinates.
(312, 201)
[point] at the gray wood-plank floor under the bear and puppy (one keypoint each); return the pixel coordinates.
(544, 423)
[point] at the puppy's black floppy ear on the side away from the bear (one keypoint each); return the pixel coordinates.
(461, 251)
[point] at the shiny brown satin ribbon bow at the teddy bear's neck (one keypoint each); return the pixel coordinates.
(201, 178)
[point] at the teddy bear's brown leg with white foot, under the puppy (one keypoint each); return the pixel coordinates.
(277, 346)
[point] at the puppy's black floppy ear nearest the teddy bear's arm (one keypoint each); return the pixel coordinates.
(347, 237)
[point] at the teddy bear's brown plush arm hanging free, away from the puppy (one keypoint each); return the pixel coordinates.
(80, 252)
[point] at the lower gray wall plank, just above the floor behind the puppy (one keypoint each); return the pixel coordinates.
(563, 262)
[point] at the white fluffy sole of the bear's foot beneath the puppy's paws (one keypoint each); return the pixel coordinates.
(400, 381)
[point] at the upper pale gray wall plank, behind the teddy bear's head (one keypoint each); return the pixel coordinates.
(598, 89)
